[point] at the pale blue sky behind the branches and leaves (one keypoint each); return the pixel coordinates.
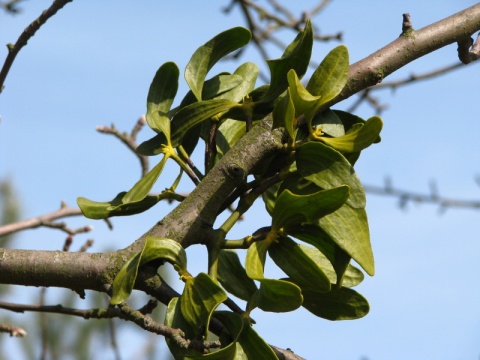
(92, 65)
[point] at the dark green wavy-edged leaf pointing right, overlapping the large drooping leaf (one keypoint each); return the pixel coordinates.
(292, 209)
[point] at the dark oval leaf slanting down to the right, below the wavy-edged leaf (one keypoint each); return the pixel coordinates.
(298, 265)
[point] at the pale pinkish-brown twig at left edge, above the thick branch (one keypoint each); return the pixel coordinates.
(45, 220)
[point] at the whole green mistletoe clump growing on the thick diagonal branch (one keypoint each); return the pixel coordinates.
(309, 187)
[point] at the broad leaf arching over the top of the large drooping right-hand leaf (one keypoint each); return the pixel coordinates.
(327, 168)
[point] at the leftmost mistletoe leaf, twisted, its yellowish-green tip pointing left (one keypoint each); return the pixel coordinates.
(102, 210)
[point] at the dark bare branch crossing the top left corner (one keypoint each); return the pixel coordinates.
(13, 50)
